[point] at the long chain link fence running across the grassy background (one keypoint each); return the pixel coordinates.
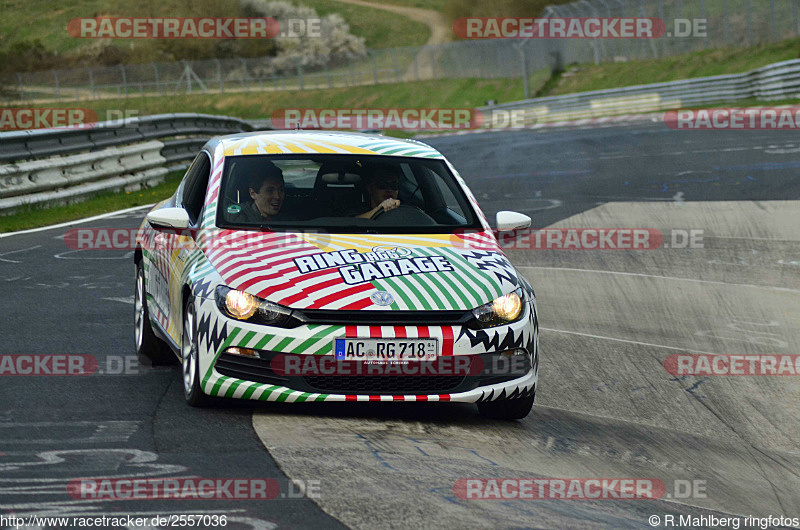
(727, 23)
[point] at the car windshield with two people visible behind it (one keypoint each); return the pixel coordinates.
(342, 193)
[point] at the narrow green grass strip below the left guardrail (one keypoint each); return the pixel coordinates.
(102, 203)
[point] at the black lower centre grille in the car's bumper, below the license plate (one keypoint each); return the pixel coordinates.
(375, 384)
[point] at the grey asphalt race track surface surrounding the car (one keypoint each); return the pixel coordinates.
(606, 406)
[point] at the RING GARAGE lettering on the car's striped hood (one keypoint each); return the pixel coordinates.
(355, 267)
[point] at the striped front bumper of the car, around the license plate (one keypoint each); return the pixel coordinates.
(238, 377)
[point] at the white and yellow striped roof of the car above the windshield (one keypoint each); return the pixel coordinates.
(326, 142)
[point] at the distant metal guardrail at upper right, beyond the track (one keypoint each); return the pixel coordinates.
(771, 82)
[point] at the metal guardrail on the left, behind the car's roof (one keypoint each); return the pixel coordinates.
(106, 156)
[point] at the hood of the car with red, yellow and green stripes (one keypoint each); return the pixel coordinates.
(429, 272)
